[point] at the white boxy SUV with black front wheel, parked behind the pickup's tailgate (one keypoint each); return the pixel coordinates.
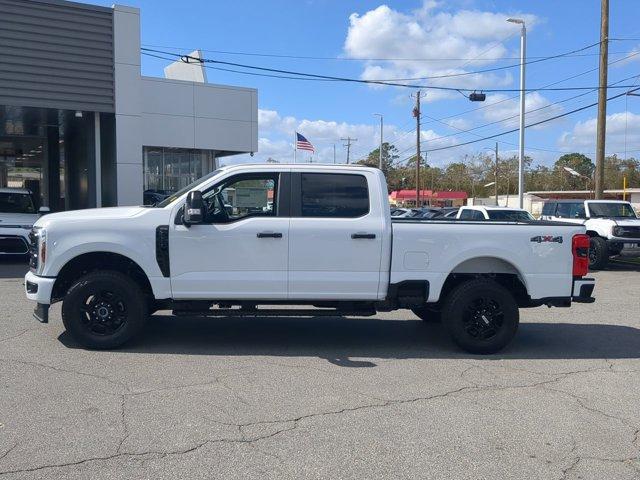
(612, 225)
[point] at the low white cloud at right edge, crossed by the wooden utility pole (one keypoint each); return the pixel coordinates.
(583, 136)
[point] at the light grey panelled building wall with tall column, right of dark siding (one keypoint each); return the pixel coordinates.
(159, 112)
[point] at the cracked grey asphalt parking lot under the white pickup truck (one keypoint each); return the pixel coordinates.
(381, 397)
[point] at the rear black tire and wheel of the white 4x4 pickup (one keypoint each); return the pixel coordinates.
(481, 316)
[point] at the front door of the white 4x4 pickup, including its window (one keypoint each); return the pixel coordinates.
(241, 250)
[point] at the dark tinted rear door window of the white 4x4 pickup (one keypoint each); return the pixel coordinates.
(334, 195)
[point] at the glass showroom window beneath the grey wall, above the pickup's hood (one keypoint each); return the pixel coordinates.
(167, 170)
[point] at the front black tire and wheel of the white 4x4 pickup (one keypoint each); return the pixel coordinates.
(104, 310)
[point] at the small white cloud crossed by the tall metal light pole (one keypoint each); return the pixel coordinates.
(506, 109)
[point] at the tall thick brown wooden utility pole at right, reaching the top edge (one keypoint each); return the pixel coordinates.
(602, 98)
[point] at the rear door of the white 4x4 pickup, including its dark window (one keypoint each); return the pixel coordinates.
(336, 237)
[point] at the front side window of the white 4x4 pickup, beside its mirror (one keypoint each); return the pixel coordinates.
(242, 196)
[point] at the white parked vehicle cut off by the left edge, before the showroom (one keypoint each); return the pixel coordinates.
(18, 213)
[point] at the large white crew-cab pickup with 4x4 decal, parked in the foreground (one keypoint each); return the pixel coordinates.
(316, 240)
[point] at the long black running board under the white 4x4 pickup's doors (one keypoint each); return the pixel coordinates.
(272, 312)
